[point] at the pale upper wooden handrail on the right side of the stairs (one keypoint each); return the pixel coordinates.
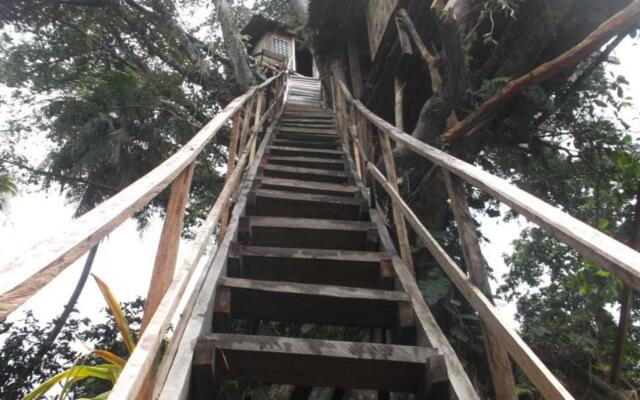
(612, 255)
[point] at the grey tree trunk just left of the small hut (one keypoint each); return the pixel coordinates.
(235, 49)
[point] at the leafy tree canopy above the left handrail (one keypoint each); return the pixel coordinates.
(116, 87)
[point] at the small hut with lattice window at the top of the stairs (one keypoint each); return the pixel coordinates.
(275, 46)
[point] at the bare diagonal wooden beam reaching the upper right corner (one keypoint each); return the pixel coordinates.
(617, 24)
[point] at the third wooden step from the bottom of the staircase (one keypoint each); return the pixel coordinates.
(371, 270)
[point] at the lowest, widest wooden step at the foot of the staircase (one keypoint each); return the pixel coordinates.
(311, 362)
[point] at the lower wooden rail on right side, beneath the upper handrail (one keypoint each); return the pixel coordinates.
(548, 385)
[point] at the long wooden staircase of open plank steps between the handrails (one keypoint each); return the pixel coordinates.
(307, 252)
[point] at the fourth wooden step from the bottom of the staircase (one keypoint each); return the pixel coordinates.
(308, 233)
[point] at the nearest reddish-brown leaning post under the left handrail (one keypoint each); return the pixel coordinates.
(168, 245)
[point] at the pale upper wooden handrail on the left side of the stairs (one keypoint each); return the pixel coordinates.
(22, 277)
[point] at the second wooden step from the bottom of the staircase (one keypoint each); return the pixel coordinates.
(258, 300)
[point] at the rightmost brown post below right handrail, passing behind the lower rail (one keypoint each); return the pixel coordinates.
(498, 358)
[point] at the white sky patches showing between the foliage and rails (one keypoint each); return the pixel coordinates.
(126, 258)
